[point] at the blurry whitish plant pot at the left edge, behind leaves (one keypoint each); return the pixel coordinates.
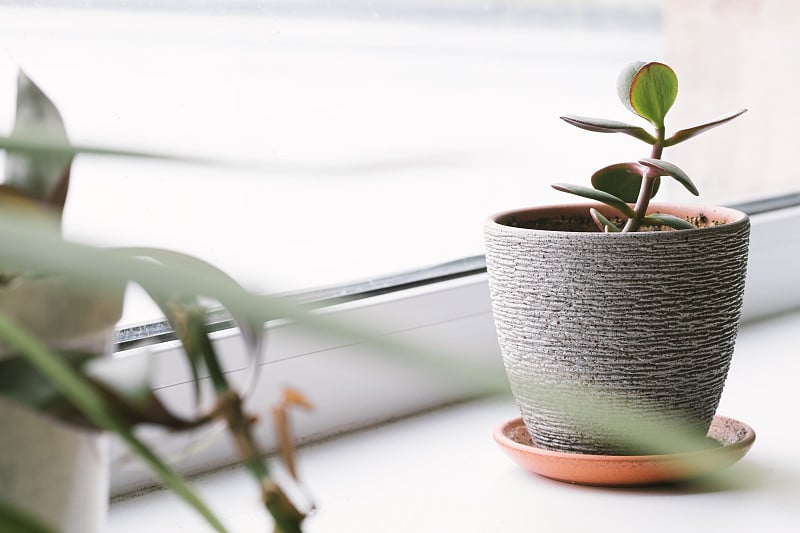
(56, 472)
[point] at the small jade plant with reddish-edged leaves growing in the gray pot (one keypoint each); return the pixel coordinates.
(648, 90)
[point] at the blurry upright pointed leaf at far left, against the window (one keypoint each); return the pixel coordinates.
(45, 176)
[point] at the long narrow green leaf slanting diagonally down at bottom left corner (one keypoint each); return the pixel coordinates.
(80, 392)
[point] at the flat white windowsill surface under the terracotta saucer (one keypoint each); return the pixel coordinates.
(441, 471)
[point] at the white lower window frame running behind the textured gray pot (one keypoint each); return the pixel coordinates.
(353, 385)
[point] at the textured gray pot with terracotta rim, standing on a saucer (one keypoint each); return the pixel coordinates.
(606, 336)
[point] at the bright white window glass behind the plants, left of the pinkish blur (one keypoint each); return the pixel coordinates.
(360, 138)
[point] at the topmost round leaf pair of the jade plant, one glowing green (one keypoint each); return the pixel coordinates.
(648, 89)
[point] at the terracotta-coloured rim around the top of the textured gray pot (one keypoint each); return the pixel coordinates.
(732, 218)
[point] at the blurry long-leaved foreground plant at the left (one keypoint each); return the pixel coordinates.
(110, 394)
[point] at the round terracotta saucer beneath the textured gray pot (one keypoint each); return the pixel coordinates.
(734, 438)
